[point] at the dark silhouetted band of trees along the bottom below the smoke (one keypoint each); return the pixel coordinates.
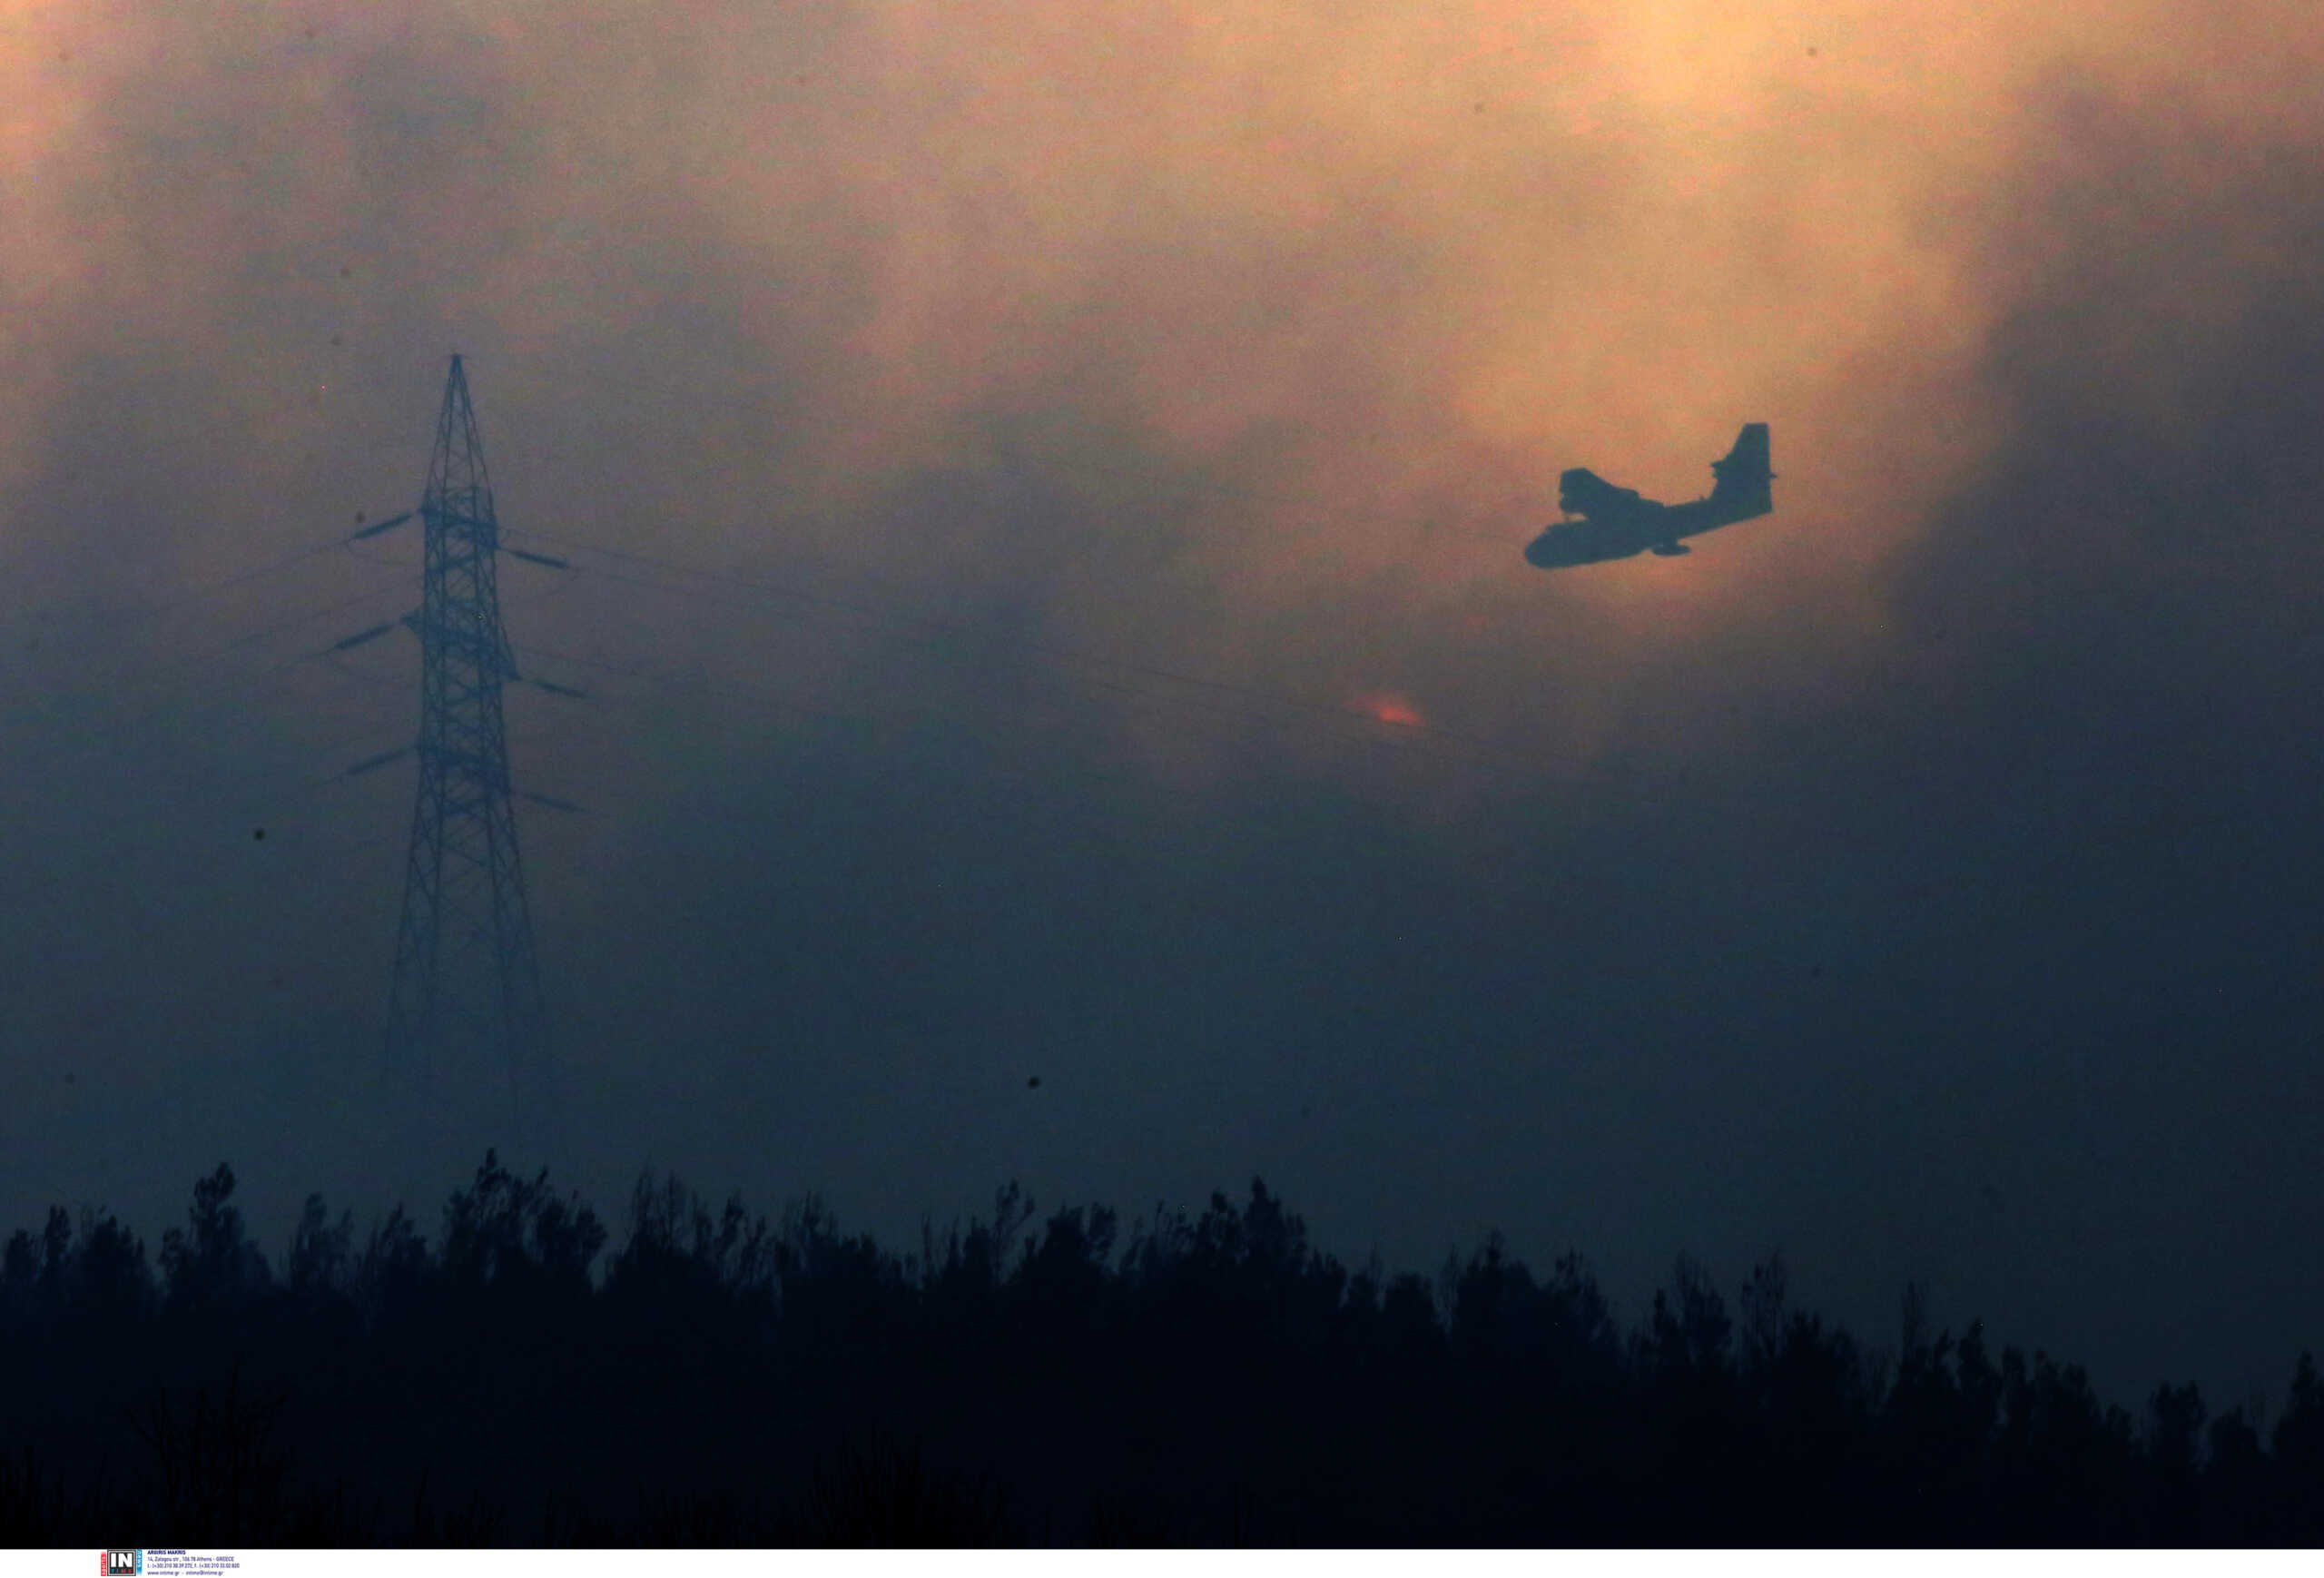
(724, 1379)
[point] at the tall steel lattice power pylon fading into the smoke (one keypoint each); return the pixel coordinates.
(468, 991)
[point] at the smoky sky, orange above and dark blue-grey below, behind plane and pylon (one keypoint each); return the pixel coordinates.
(1075, 466)
